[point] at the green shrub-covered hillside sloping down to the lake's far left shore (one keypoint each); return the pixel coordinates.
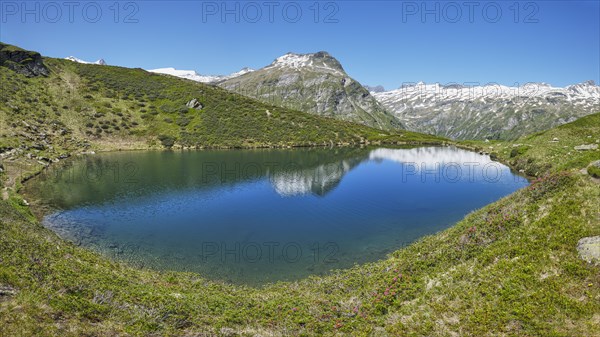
(81, 107)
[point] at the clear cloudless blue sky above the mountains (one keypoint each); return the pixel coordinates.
(377, 42)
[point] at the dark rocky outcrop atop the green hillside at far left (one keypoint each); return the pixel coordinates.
(22, 61)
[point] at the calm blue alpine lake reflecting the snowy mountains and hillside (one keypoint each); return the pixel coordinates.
(259, 216)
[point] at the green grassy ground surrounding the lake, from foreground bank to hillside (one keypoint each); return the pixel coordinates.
(510, 268)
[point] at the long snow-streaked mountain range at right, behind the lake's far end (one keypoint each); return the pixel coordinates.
(490, 111)
